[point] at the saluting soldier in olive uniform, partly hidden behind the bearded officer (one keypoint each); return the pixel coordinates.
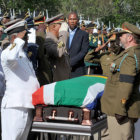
(105, 58)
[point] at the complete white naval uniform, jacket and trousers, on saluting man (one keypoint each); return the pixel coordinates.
(21, 82)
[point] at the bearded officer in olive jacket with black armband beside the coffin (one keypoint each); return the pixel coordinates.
(121, 98)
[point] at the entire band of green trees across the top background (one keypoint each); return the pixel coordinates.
(116, 11)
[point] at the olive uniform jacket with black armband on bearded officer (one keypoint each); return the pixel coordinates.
(124, 80)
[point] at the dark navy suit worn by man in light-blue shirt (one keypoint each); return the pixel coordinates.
(77, 51)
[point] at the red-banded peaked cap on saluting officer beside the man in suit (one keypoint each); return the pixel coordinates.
(56, 19)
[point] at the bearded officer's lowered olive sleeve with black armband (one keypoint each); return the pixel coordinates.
(126, 82)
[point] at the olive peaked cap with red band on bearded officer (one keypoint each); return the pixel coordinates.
(129, 28)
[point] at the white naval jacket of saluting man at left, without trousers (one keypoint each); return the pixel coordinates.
(20, 77)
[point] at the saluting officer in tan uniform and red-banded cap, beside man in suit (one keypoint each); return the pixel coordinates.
(55, 45)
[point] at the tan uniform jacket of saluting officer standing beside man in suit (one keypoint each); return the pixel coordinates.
(58, 58)
